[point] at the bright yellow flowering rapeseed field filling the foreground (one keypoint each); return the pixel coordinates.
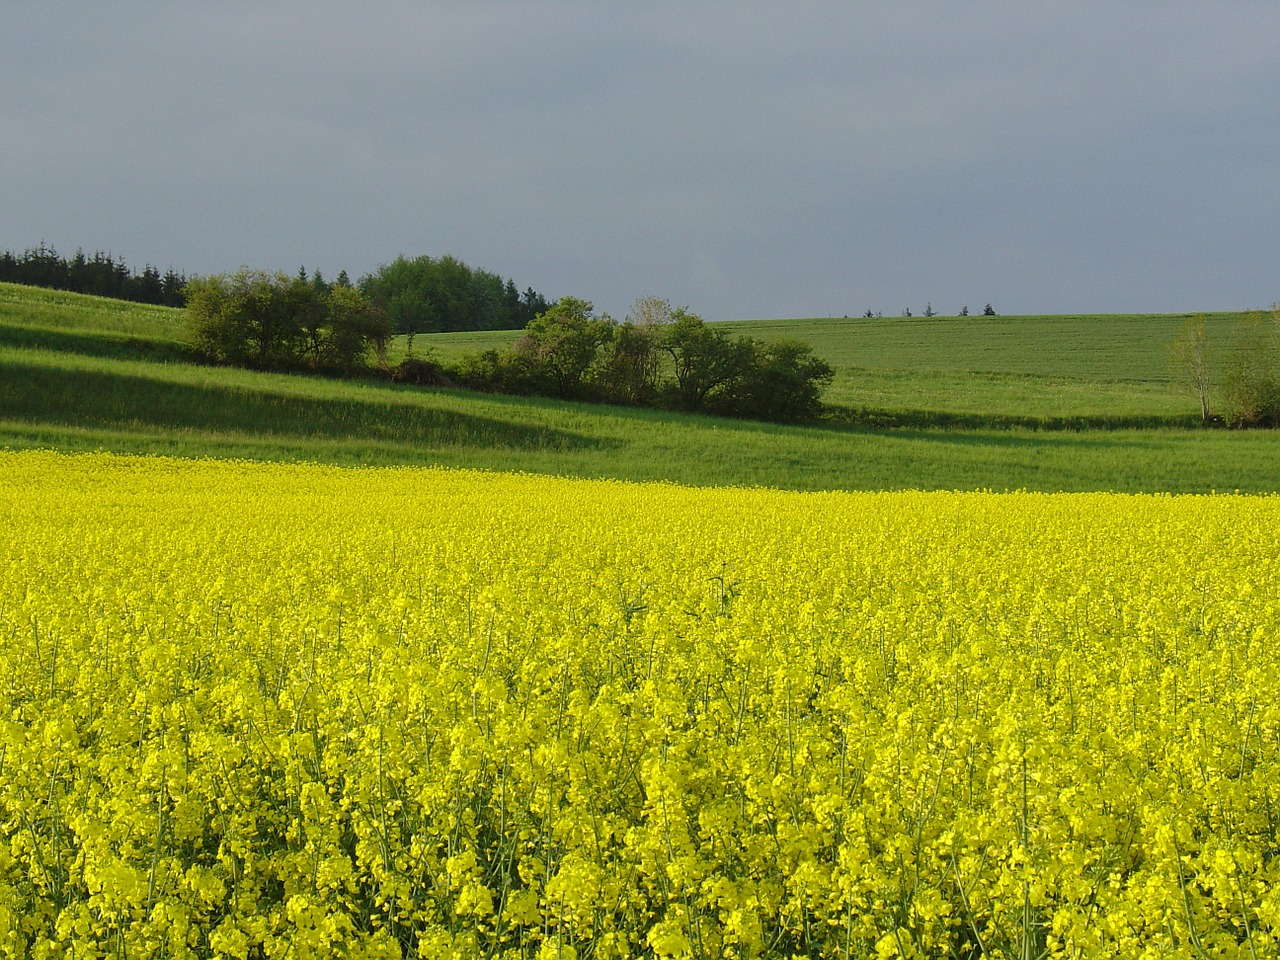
(263, 711)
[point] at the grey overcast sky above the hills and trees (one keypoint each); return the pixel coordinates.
(746, 159)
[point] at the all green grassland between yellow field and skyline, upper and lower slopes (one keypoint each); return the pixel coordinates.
(81, 373)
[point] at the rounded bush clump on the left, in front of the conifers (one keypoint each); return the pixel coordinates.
(273, 322)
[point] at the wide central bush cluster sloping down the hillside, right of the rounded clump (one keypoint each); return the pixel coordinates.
(659, 358)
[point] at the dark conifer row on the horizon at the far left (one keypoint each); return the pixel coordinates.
(100, 275)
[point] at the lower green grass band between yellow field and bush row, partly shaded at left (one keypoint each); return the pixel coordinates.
(80, 404)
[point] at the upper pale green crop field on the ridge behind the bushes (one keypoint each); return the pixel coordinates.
(1007, 369)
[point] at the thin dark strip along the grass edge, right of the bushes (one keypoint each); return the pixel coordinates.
(867, 419)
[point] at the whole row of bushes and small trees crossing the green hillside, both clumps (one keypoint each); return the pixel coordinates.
(657, 358)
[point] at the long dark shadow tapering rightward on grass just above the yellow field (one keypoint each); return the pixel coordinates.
(109, 400)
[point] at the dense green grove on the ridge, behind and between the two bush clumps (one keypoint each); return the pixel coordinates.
(432, 295)
